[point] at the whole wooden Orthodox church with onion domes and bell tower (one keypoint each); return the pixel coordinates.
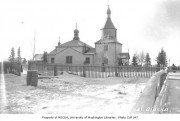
(107, 50)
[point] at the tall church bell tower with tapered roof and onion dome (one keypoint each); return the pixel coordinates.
(108, 48)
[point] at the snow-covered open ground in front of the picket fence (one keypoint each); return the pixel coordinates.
(71, 94)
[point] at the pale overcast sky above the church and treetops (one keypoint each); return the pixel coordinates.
(147, 25)
